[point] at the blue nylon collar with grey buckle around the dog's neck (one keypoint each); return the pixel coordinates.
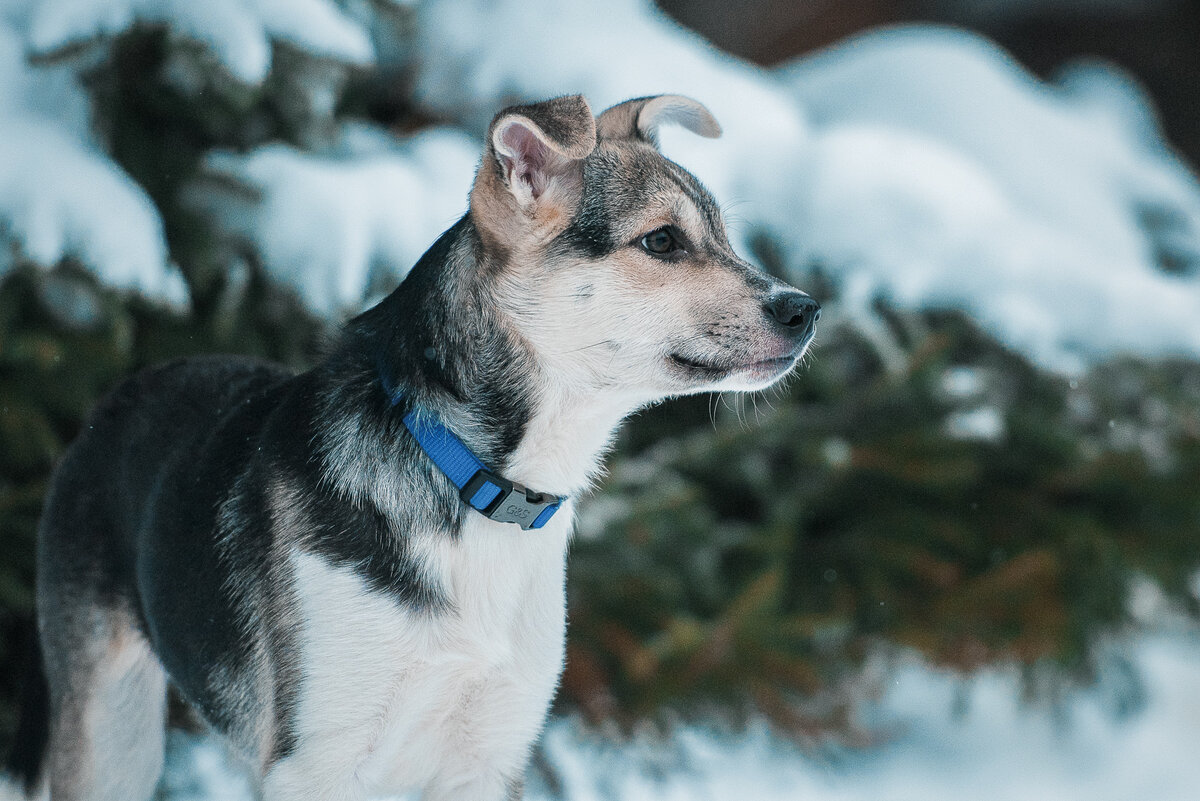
(488, 493)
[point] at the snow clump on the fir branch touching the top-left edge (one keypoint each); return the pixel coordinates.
(237, 33)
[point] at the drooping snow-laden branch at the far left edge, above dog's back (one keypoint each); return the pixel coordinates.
(59, 196)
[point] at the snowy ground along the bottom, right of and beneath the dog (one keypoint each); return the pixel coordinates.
(949, 742)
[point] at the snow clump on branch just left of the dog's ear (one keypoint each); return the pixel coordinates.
(341, 230)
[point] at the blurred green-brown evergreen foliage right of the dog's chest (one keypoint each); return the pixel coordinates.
(760, 557)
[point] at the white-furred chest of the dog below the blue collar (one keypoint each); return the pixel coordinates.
(405, 697)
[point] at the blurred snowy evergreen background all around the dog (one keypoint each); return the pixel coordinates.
(957, 557)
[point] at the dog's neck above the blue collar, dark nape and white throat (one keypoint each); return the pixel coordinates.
(440, 341)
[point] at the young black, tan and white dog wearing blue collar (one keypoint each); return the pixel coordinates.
(357, 575)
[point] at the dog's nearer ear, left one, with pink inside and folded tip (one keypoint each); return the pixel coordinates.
(541, 146)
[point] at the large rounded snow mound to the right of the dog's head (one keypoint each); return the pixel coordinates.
(946, 174)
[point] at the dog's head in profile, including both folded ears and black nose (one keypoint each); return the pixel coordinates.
(615, 263)
